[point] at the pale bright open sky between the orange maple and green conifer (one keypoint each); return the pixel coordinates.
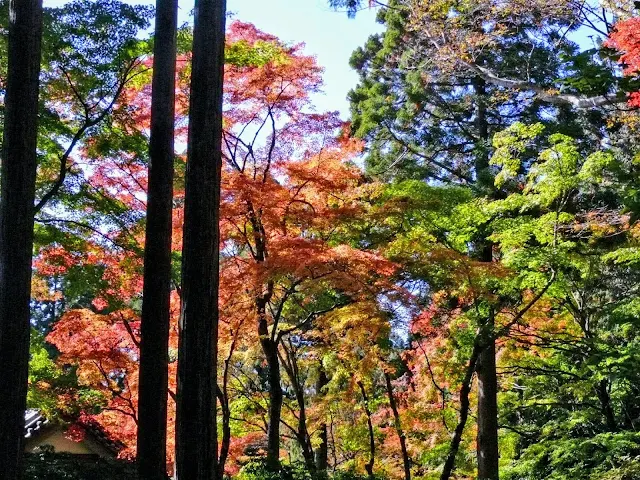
(329, 35)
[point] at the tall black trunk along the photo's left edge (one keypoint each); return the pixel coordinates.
(17, 197)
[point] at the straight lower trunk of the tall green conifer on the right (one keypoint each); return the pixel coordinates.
(487, 440)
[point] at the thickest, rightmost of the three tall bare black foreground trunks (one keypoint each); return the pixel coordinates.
(196, 433)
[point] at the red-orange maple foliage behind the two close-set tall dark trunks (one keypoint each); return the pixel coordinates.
(288, 186)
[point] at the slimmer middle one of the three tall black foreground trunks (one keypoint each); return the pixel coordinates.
(154, 368)
